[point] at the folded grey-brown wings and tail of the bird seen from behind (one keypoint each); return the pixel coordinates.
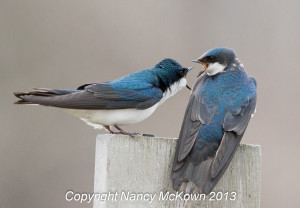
(206, 165)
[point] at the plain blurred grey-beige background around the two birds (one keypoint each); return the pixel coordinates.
(62, 44)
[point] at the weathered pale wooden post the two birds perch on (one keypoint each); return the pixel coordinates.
(135, 172)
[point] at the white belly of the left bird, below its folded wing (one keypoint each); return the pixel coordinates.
(122, 117)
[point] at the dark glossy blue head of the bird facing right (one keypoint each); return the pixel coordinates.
(169, 72)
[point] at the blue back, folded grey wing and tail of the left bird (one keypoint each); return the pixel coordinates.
(138, 91)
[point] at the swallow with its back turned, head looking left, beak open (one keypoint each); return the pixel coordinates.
(218, 112)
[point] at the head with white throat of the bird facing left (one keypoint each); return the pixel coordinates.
(215, 60)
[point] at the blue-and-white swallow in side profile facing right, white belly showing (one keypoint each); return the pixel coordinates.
(124, 101)
